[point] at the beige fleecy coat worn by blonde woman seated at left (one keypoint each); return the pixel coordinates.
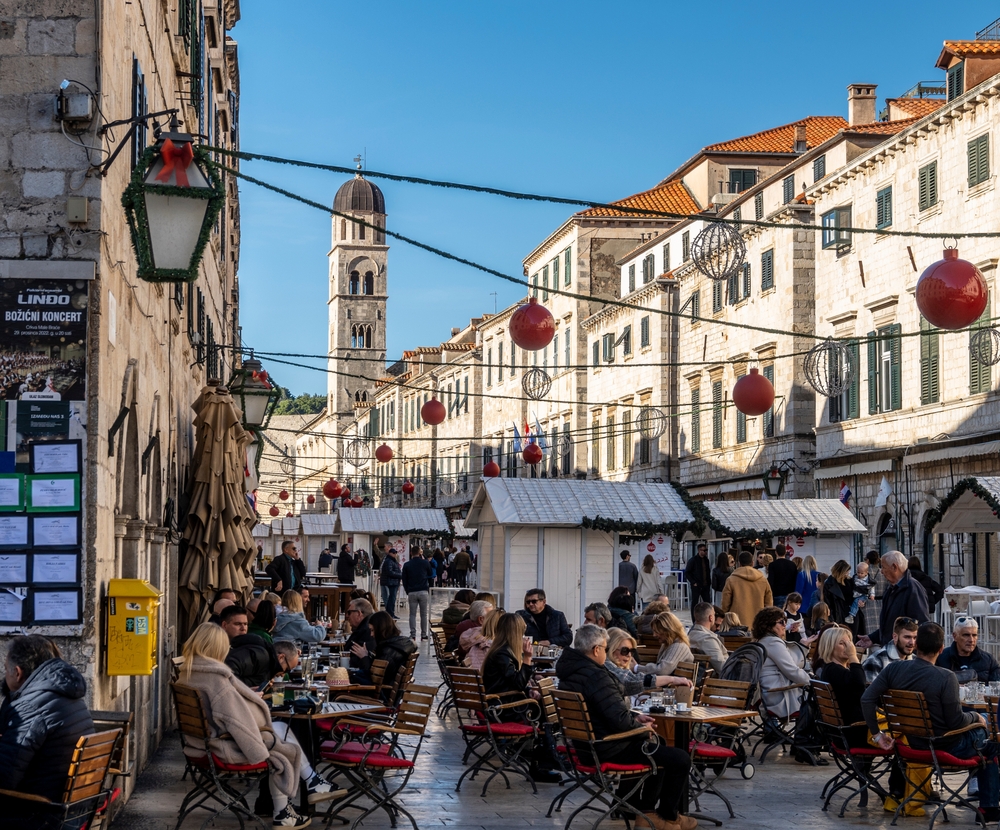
(236, 711)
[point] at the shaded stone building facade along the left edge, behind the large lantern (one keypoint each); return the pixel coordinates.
(149, 348)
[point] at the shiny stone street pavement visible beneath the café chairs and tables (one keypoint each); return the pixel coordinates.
(781, 794)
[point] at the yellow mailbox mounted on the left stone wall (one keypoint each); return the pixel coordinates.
(133, 606)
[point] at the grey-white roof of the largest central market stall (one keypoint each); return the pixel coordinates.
(566, 502)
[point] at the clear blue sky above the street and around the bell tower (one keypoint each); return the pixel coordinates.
(583, 99)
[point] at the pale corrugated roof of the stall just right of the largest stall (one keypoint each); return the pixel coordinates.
(822, 515)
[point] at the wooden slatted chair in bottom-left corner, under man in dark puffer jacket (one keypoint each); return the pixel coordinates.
(84, 795)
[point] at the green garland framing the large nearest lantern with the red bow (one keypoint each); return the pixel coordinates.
(138, 220)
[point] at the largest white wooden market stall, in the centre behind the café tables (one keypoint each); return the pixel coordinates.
(532, 534)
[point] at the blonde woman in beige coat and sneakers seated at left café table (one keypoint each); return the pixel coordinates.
(237, 712)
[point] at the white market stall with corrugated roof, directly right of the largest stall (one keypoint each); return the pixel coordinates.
(830, 527)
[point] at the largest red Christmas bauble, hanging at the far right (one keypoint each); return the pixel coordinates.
(952, 292)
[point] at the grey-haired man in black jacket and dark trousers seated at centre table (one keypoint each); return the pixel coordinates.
(582, 669)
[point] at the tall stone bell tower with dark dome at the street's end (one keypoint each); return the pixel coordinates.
(358, 295)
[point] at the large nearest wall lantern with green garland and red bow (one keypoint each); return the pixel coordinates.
(171, 204)
